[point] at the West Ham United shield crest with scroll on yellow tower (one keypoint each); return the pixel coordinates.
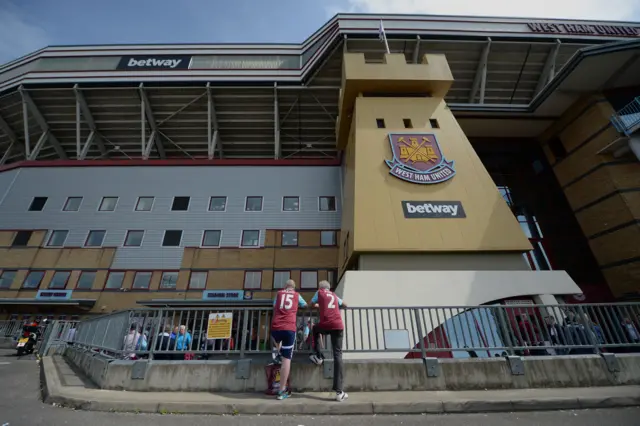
(417, 158)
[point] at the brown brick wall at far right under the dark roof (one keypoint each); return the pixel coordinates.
(602, 190)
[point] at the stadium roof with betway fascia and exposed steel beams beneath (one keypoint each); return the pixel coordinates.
(281, 100)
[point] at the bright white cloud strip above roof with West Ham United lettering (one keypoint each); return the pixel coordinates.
(573, 9)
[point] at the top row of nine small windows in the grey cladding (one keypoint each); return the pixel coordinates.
(216, 204)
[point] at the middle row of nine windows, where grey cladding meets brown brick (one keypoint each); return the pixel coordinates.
(171, 238)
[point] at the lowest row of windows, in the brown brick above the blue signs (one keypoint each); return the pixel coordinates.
(142, 280)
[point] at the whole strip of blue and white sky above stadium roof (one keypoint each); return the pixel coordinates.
(28, 25)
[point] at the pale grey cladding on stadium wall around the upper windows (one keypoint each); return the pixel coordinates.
(200, 183)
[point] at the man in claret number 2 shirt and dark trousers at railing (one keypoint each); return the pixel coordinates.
(330, 323)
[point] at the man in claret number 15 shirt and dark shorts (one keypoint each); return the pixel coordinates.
(283, 329)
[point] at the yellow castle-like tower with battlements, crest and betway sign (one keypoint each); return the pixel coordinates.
(416, 195)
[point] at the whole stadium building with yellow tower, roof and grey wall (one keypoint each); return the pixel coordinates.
(477, 160)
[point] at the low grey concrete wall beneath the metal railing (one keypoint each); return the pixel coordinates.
(381, 375)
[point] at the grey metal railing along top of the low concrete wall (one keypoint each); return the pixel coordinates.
(400, 332)
